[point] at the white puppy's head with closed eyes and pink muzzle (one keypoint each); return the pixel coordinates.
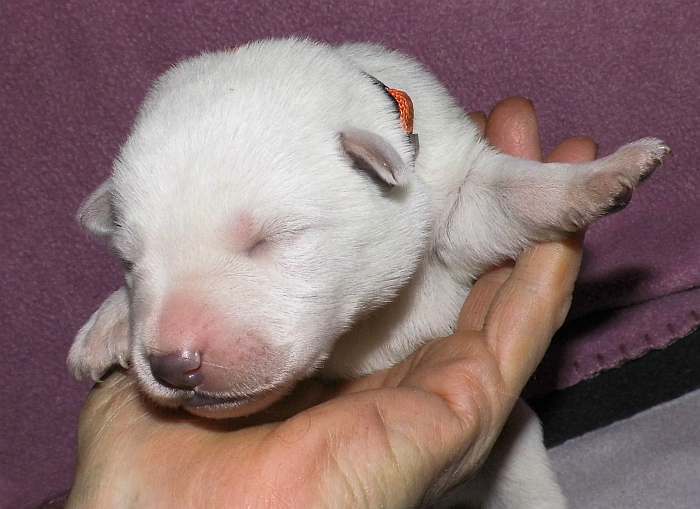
(264, 200)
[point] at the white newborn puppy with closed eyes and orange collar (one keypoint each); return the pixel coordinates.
(277, 217)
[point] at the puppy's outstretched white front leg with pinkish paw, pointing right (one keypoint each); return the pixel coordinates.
(506, 204)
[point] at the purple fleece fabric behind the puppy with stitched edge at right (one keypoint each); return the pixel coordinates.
(73, 74)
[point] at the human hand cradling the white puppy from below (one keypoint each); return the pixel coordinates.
(384, 440)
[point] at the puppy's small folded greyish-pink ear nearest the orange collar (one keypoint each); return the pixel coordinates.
(372, 153)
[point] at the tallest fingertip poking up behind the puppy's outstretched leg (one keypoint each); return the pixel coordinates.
(512, 128)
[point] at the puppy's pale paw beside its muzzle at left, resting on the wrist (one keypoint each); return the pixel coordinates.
(103, 341)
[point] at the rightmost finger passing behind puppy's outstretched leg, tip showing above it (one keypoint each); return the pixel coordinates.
(535, 300)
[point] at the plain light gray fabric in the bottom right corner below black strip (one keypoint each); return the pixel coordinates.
(649, 461)
